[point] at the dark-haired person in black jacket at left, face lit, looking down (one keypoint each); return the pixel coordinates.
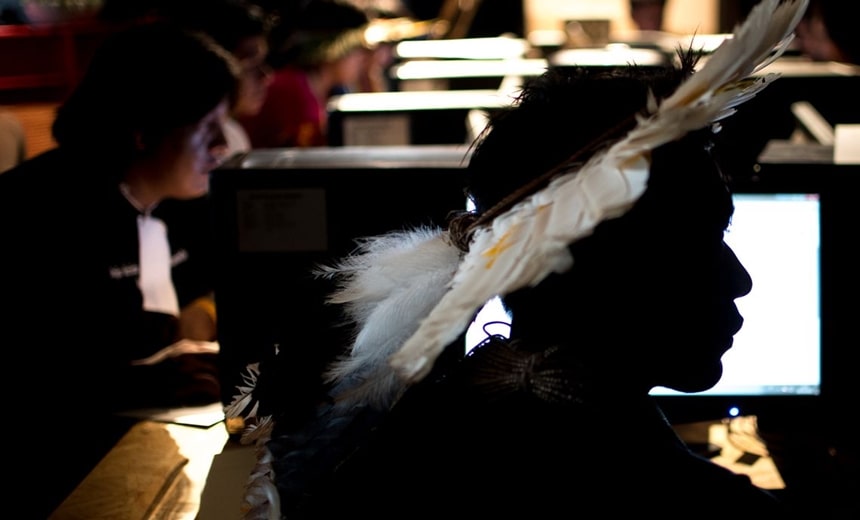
(102, 268)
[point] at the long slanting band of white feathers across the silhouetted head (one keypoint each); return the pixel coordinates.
(530, 240)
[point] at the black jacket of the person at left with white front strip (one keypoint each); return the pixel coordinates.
(71, 317)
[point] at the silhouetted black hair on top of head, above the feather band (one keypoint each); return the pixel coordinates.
(566, 110)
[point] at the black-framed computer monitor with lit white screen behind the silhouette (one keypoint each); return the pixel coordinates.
(791, 230)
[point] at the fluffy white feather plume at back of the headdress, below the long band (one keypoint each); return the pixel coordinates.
(386, 287)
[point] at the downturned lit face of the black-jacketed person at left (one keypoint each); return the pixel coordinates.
(182, 160)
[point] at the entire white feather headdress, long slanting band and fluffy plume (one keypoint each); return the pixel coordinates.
(412, 293)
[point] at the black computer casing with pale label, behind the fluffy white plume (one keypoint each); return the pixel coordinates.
(280, 213)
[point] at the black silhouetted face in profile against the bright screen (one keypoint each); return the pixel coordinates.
(656, 288)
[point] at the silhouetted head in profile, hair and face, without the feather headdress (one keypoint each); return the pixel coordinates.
(650, 297)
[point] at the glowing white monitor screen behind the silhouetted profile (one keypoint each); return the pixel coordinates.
(778, 350)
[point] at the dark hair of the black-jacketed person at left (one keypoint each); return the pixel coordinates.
(149, 78)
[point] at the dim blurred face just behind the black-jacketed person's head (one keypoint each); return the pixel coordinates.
(255, 75)
